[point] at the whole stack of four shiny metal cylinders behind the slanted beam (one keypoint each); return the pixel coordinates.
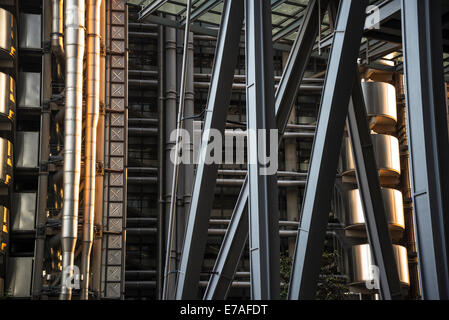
(380, 101)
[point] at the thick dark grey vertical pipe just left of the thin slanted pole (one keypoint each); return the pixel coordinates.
(170, 122)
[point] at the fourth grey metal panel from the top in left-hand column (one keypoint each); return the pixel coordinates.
(24, 211)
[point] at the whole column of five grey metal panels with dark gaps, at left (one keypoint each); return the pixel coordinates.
(26, 151)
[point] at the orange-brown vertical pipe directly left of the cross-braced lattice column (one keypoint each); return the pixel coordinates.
(98, 217)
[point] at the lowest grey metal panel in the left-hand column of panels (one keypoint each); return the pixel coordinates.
(18, 277)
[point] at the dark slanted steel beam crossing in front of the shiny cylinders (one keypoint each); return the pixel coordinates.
(371, 195)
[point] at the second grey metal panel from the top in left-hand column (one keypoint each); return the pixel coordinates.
(29, 90)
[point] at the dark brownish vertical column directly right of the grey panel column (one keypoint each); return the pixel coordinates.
(43, 159)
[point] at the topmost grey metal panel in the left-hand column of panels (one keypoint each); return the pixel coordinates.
(30, 31)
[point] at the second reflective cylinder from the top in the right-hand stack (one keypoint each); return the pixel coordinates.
(386, 150)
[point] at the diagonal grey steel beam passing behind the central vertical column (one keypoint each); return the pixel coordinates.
(234, 241)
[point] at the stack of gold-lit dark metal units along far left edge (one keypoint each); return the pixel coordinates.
(8, 75)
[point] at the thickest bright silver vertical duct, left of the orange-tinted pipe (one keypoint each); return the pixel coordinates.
(74, 50)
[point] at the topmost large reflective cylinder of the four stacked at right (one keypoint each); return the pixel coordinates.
(380, 101)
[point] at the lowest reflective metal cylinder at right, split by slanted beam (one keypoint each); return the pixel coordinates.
(364, 271)
